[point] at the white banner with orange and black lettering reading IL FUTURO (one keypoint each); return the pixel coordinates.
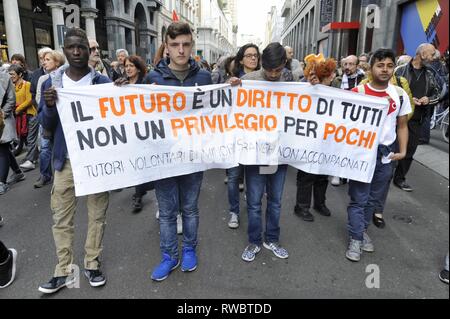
(124, 136)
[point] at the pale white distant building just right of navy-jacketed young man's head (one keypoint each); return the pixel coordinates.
(214, 30)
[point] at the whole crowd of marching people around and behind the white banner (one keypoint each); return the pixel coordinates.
(412, 85)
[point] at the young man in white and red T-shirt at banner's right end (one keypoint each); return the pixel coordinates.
(366, 197)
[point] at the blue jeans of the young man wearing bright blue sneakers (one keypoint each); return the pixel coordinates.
(178, 194)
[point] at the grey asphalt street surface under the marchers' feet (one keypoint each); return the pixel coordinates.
(409, 254)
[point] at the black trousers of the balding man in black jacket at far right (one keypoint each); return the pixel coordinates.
(415, 131)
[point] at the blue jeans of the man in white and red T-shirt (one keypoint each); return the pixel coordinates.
(366, 198)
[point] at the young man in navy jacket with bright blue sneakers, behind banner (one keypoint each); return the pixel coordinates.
(178, 194)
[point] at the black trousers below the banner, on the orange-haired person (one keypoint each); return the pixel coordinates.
(309, 184)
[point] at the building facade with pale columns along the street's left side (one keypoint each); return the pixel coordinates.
(136, 25)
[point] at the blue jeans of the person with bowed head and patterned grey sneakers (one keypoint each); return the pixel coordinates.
(256, 185)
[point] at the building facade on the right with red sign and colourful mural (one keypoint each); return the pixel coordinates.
(339, 28)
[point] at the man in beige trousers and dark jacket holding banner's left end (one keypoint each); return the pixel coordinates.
(63, 200)
